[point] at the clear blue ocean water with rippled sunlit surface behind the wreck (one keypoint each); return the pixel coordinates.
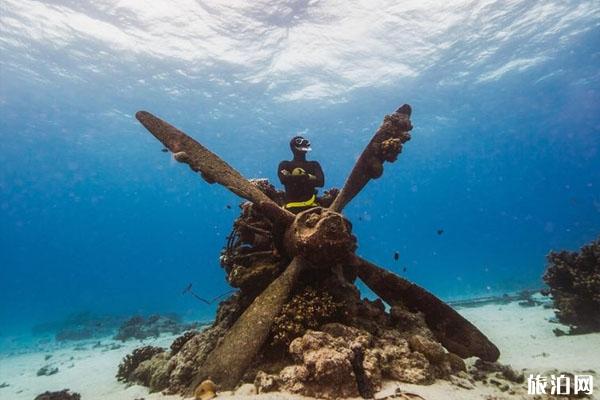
(504, 156)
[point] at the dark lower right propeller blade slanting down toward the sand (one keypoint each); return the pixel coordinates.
(456, 333)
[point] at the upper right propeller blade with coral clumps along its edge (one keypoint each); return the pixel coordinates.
(385, 145)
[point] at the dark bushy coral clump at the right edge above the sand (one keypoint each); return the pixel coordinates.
(574, 280)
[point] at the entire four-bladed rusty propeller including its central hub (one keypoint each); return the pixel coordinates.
(311, 238)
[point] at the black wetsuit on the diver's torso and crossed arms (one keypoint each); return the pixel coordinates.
(300, 187)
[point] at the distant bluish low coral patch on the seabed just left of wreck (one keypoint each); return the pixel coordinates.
(138, 327)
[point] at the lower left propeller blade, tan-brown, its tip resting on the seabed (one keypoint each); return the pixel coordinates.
(227, 363)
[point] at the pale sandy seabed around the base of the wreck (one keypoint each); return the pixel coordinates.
(523, 335)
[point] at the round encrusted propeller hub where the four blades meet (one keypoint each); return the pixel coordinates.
(321, 236)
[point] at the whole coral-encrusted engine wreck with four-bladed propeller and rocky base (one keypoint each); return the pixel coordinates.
(272, 255)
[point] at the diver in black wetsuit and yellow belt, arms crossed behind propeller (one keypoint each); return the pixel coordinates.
(300, 177)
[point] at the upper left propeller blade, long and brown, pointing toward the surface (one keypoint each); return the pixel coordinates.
(211, 167)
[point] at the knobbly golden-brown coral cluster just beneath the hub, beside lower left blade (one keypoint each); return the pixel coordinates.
(308, 309)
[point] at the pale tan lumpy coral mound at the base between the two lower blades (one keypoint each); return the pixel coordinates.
(341, 361)
